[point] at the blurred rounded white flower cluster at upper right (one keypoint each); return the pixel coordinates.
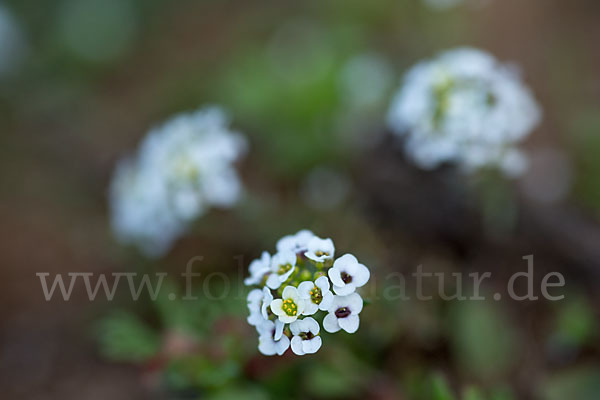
(464, 107)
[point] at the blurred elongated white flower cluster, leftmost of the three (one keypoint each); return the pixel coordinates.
(181, 169)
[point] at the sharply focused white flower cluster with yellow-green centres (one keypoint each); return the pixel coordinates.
(299, 284)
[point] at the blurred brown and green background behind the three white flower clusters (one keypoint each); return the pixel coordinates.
(309, 83)
